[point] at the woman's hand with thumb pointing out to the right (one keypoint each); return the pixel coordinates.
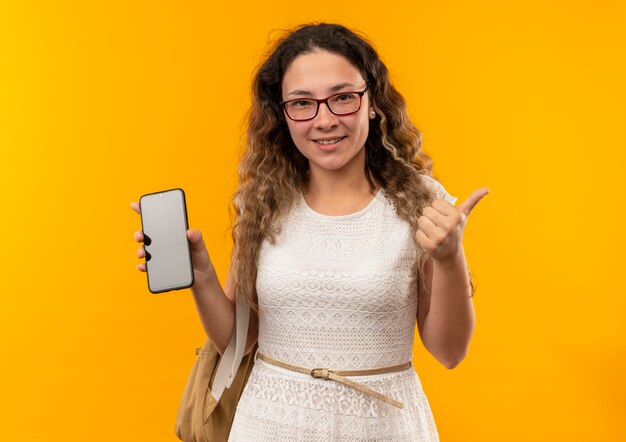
(441, 226)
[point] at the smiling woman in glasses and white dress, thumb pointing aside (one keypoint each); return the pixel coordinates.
(343, 241)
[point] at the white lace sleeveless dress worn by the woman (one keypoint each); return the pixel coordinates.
(336, 292)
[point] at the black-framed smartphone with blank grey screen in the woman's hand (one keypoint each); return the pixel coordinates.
(168, 256)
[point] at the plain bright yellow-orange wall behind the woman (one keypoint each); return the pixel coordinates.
(101, 102)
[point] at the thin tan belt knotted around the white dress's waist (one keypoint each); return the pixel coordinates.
(338, 376)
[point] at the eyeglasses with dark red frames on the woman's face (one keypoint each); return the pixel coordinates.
(343, 103)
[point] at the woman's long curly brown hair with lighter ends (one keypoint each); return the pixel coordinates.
(272, 170)
